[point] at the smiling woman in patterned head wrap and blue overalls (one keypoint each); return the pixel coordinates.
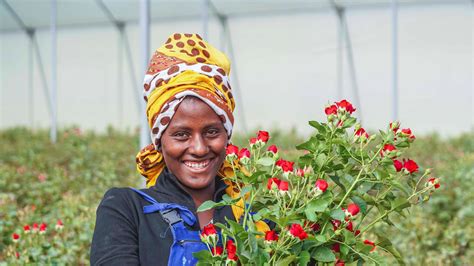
(189, 109)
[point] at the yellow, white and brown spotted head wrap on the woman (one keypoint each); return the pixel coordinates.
(184, 66)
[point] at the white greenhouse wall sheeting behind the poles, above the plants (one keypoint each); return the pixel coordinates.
(286, 67)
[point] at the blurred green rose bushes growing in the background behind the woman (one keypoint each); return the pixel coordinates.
(58, 187)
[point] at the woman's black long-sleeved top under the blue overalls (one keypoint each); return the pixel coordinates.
(124, 235)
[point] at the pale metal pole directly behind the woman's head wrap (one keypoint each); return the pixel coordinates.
(145, 48)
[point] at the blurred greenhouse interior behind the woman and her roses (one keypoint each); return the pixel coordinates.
(70, 99)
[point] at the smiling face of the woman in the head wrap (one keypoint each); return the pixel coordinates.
(193, 145)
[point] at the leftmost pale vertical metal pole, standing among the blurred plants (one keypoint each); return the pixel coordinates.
(54, 116)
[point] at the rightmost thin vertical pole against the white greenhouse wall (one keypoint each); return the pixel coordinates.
(395, 59)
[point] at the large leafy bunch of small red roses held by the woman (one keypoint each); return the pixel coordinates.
(325, 210)
